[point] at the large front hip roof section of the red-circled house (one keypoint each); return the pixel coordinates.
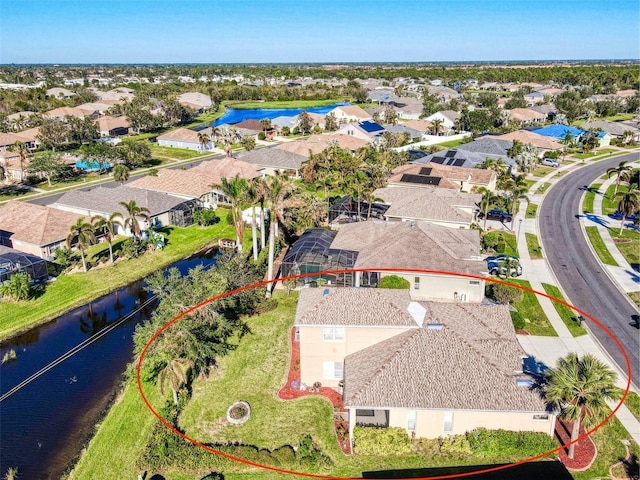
(471, 363)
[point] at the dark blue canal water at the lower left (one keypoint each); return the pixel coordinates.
(45, 424)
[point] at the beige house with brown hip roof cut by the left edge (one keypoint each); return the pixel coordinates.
(34, 229)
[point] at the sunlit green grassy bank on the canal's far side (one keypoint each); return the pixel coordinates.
(72, 290)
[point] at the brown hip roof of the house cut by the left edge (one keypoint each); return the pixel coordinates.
(35, 224)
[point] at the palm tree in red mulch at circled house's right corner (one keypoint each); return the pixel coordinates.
(580, 388)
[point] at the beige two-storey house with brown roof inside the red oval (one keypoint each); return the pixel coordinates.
(433, 368)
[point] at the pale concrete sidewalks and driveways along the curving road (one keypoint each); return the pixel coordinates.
(547, 350)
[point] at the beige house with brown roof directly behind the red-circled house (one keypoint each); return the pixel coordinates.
(388, 246)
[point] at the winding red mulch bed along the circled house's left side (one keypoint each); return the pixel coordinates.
(292, 390)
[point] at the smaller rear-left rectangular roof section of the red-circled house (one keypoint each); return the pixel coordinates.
(374, 307)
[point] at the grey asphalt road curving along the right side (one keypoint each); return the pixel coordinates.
(587, 285)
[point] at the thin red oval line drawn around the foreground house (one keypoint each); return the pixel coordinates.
(396, 270)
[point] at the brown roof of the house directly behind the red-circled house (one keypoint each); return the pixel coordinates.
(397, 245)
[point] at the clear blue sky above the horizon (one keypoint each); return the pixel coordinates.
(250, 31)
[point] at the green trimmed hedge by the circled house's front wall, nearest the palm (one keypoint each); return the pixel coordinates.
(490, 443)
